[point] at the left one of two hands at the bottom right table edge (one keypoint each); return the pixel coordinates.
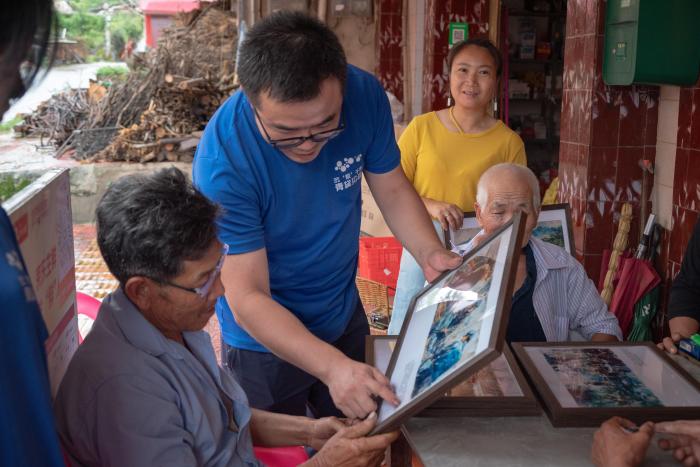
(616, 445)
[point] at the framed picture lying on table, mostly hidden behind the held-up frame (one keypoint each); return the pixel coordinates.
(497, 390)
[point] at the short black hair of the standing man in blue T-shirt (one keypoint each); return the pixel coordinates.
(289, 54)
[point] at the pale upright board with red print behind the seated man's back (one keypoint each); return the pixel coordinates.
(42, 220)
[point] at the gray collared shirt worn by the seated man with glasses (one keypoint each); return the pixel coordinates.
(132, 397)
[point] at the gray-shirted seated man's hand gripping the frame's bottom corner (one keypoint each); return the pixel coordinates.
(350, 446)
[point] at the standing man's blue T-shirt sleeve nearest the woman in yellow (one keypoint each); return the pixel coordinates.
(383, 153)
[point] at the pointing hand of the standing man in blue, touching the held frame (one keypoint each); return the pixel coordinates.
(354, 387)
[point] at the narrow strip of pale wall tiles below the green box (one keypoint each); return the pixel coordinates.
(666, 137)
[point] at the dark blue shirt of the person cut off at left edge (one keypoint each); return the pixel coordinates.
(27, 431)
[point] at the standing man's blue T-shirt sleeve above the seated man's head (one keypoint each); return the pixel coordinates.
(222, 173)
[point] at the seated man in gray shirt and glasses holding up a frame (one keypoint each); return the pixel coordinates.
(144, 389)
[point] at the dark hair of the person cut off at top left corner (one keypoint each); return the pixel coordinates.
(26, 29)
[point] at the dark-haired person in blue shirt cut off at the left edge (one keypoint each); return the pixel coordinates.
(27, 433)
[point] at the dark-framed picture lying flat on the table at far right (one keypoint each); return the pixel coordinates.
(585, 383)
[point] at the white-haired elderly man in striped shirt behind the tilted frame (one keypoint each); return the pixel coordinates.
(554, 299)
